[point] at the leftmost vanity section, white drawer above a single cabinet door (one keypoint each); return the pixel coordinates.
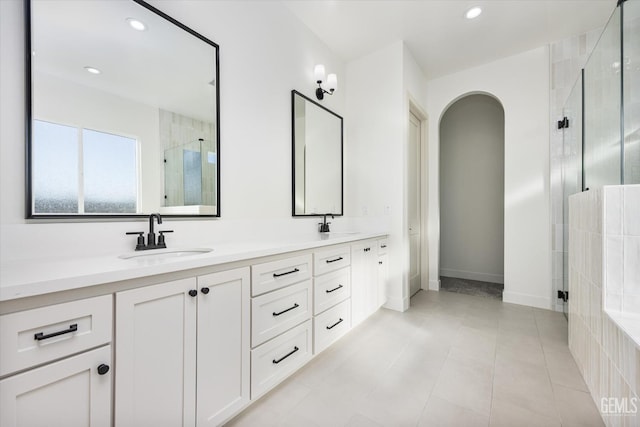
(56, 365)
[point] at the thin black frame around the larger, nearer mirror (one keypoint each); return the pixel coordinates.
(29, 122)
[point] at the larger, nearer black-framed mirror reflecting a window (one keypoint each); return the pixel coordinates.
(122, 112)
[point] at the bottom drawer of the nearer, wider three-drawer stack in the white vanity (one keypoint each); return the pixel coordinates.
(274, 361)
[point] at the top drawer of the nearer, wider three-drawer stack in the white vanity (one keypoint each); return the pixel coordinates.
(273, 275)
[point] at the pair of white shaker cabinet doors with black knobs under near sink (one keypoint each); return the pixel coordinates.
(182, 351)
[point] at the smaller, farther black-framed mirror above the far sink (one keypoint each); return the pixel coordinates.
(317, 158)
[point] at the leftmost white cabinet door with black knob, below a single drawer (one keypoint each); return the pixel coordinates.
(67, 393)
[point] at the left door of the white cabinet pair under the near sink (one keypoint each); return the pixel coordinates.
(155, 355)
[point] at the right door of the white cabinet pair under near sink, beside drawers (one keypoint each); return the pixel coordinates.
(223, 345)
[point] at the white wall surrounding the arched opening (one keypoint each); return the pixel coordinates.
(521, 84)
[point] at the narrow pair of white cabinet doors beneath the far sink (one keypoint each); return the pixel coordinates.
(364, 284)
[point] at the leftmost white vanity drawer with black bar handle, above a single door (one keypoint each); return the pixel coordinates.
(33, 337)
